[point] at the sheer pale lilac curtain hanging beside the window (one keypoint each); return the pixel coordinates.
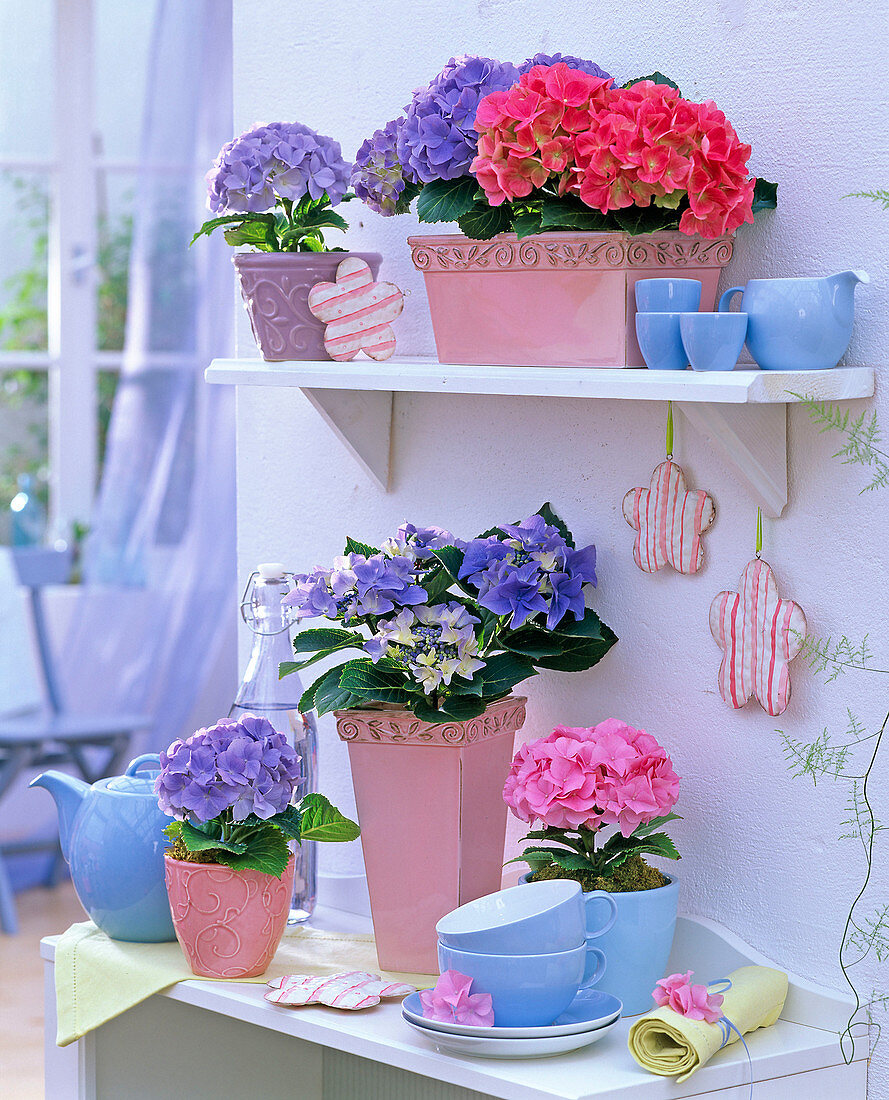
(163, 527)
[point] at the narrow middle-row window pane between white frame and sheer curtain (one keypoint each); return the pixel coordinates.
(114, 237)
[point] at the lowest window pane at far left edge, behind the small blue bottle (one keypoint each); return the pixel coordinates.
(24, 455)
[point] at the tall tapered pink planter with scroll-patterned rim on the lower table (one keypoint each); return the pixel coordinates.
(433, 819)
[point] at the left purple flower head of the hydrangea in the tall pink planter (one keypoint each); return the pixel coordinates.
(357, 586)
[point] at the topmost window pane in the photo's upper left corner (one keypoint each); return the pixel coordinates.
(27, 85)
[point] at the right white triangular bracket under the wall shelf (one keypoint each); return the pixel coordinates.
(754, 441)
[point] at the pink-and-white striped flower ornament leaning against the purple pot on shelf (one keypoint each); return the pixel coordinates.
(357, 312)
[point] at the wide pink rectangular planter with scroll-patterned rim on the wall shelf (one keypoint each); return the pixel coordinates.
(556, 300)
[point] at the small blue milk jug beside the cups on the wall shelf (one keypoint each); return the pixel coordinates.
(798, 324)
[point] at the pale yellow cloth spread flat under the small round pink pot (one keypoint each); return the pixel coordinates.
(98, 978)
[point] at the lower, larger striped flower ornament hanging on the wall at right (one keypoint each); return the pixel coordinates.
(760, 635)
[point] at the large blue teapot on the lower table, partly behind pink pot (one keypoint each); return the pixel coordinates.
(113, 838)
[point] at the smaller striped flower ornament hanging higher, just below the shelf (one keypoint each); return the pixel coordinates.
(670, 521)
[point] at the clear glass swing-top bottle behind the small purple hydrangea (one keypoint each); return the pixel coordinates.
(265, 695)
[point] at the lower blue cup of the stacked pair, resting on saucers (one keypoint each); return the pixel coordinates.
(526, 991)
